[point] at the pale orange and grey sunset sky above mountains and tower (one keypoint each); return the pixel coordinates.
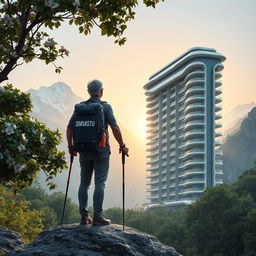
(155, 38)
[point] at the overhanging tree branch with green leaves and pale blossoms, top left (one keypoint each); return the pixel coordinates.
(23, 26)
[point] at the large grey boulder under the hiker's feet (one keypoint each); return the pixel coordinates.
(78, 240)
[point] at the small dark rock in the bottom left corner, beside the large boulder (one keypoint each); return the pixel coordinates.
(10, 240)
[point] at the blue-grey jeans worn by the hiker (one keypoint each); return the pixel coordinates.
(99, 162)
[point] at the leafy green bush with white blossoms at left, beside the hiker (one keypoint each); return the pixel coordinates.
(26, 145)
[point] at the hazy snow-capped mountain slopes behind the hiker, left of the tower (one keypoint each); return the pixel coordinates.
(54, 106)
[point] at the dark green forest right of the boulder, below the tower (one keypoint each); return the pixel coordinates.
(221, 223)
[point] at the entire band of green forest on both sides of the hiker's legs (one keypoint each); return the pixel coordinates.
(221, 223)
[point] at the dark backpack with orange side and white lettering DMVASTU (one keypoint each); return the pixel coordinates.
(89, 131)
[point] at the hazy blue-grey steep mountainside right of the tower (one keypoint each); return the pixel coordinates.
(239, 149)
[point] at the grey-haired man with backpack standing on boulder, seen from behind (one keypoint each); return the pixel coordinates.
(93, 159)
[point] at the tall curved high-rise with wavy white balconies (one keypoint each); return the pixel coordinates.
(183, 120)
